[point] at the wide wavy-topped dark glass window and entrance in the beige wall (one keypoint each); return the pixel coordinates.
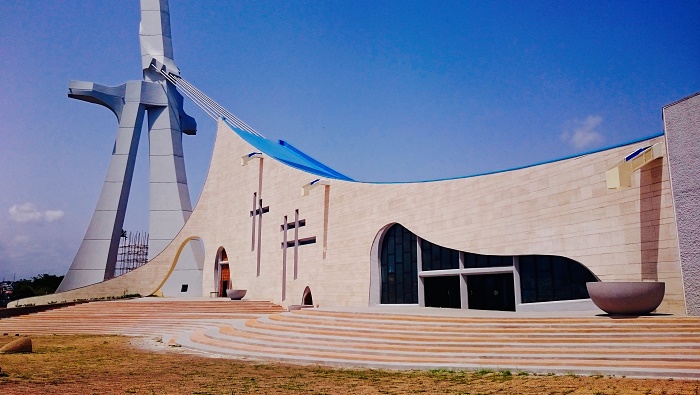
(450, 277)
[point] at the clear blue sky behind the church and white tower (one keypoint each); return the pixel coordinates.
(378, 90)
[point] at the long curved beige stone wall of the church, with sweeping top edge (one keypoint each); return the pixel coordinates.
(561, 208)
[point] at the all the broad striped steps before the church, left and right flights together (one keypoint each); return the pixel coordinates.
(394, 337)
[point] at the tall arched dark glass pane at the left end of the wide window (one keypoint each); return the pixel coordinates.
(399, 266)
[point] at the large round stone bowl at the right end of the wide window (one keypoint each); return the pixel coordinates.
(627, 298)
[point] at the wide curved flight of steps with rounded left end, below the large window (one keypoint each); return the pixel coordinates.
(643, 346)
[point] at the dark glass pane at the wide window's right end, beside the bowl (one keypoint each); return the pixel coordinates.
(545, 278)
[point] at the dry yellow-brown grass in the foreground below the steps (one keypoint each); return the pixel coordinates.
(79, 364)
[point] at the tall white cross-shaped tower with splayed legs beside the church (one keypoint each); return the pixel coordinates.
(170, 205)
